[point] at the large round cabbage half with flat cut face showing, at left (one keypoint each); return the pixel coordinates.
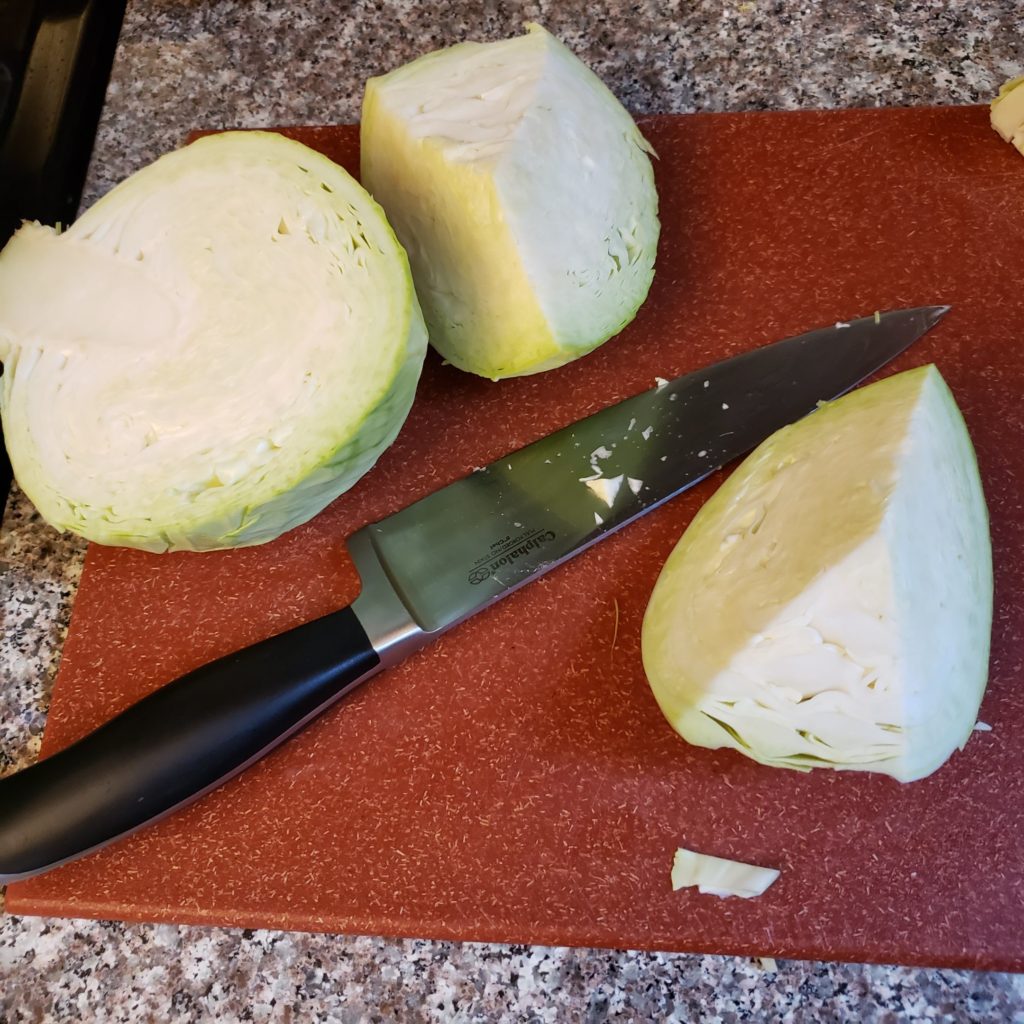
(211, 354)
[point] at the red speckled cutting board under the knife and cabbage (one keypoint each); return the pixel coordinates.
(517, 782)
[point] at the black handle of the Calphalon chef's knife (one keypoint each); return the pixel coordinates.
(178, 744)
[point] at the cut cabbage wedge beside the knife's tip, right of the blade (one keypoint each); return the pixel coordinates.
(832, 605)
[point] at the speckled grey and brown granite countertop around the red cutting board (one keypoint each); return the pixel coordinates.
(187, 64)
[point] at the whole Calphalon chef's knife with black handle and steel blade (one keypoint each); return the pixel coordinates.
(423, 571)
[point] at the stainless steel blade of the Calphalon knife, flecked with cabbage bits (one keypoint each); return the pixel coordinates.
(476, 541)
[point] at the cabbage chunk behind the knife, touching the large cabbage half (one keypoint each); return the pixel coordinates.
(526, 198)
